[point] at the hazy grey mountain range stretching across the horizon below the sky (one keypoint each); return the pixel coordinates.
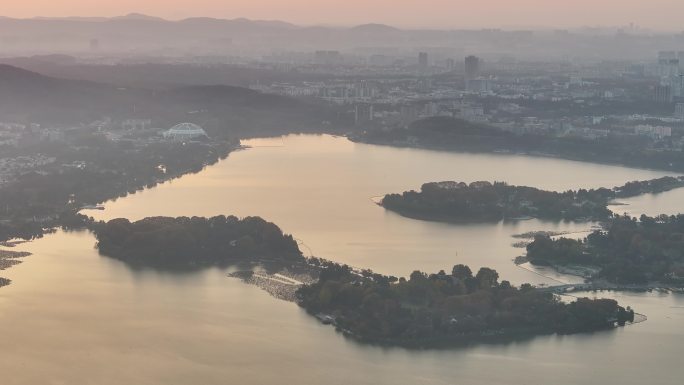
(142, 36)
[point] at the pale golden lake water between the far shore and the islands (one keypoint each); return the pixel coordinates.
(319, 189)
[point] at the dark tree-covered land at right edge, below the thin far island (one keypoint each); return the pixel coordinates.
(629, 251)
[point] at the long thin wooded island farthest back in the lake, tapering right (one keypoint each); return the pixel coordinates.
(485, 201)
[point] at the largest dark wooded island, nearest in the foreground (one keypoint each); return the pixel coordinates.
(447, 309)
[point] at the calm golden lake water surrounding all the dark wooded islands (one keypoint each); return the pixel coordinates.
(74, 317)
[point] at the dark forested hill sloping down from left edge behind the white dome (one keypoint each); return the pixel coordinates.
(27, 96)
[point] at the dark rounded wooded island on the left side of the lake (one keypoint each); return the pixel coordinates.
(181, 243)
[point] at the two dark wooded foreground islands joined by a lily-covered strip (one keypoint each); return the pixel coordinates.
(436, 310)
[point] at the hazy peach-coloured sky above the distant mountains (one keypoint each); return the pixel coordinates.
(655, 14)
